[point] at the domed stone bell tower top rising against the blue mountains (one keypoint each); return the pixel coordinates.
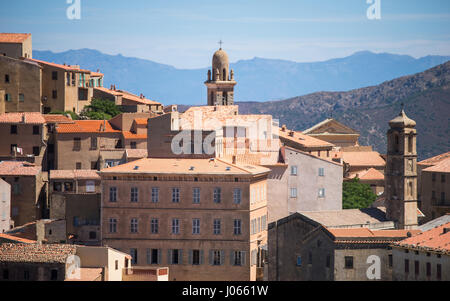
(220, 81)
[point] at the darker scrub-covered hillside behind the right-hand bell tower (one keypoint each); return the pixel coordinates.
(425, 95)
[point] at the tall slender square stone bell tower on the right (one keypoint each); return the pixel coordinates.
(401, 172)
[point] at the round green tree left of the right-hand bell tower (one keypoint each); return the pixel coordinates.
(356, 195)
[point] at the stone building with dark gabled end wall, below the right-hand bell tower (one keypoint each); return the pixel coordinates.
(302, 247)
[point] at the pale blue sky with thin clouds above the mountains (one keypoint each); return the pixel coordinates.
(185, 33)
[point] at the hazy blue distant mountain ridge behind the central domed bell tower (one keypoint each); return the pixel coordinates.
(258, 79)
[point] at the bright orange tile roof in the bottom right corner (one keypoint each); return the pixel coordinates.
(436, 239)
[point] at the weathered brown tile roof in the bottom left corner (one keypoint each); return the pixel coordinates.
(41, 253)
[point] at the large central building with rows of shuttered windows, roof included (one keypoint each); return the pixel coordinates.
(203, 218)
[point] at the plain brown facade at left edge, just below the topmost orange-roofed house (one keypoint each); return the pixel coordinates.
(21, 81)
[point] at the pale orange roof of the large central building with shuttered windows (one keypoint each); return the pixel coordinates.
(184, 166)
